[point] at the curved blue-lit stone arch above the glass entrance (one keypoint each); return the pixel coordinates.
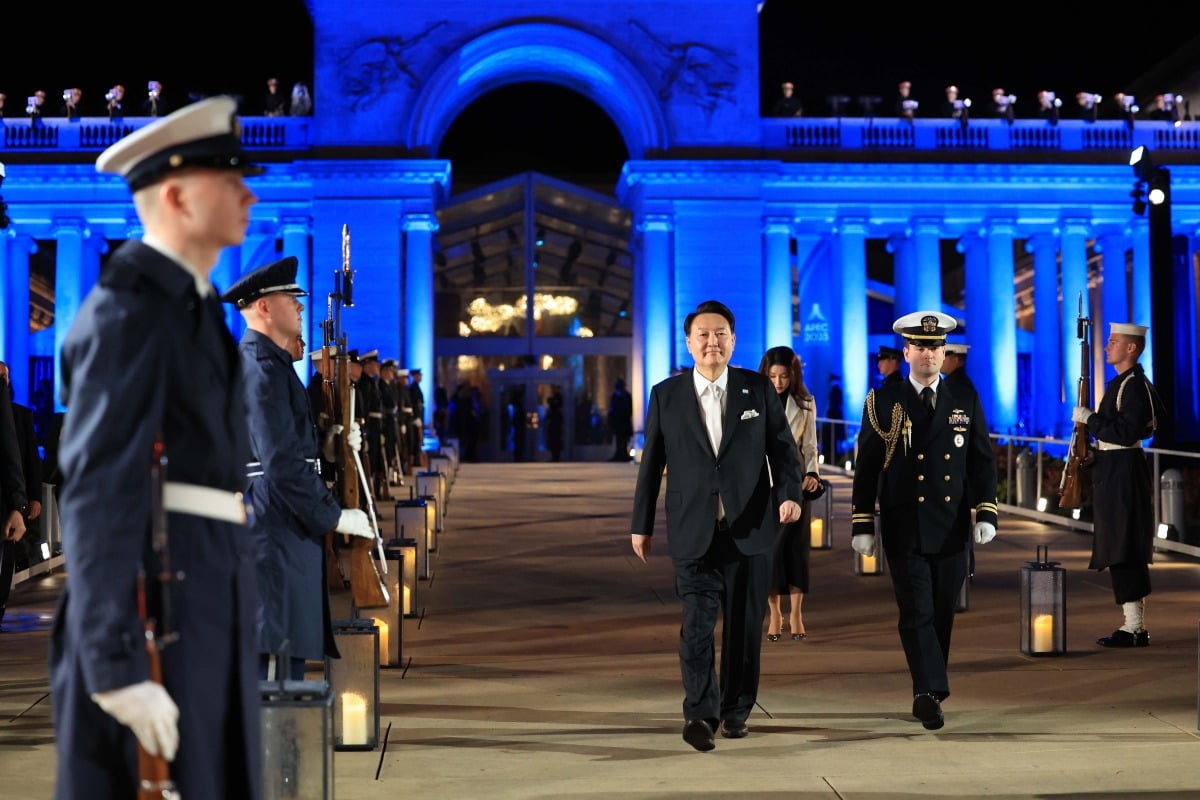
(545, 53)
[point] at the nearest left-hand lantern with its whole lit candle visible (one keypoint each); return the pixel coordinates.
(355, 683)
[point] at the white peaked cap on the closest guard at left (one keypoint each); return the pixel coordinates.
(206, 134)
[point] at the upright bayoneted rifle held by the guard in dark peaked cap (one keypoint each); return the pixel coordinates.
(368, 588)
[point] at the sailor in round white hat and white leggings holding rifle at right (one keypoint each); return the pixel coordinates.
(1123, 486)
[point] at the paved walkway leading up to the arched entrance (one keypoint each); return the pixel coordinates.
(544, 667)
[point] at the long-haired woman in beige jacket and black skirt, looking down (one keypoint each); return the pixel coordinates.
(784, 369)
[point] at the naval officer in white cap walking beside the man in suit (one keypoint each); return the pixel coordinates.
(923, 454)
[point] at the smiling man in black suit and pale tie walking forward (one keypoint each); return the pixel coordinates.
(735, 479)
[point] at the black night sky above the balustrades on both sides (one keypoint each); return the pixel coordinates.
(831, 49)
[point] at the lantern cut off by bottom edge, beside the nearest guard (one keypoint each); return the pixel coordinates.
(297, 739)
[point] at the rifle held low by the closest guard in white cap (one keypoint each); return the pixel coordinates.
(154, 772)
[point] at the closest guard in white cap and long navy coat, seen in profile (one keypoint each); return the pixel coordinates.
(149, 358)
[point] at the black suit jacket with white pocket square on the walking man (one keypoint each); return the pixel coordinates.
(755, 435)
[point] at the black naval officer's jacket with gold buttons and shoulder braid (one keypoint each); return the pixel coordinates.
(928, 486)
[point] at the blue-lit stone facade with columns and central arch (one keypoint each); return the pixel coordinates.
(781, 219)
